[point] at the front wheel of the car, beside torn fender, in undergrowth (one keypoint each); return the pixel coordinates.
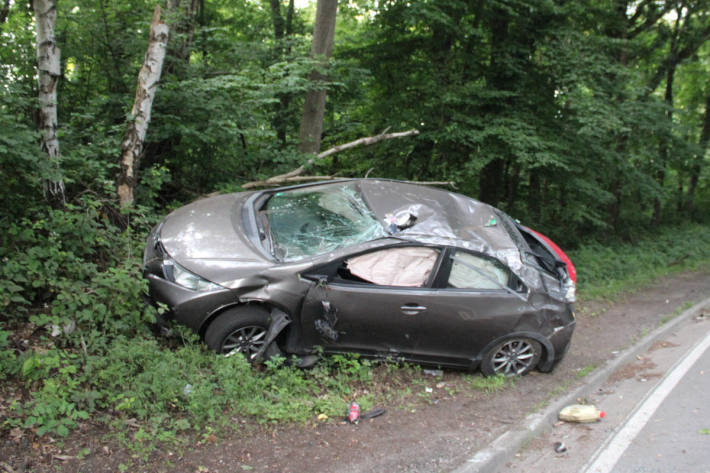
(240, 330)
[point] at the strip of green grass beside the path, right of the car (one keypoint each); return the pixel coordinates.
(604, 271)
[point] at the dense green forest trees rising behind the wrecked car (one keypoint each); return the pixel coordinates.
(580, 118)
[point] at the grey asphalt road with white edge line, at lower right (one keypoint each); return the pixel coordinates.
(658, 416)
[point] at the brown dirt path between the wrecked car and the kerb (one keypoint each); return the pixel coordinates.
(424, 438)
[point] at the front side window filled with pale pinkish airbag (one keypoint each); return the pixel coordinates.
(400, 266)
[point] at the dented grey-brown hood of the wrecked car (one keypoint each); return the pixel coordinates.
(208, 238)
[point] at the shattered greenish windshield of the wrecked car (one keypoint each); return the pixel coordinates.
(315, 220)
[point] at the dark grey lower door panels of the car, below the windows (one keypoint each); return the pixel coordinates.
(445, 326)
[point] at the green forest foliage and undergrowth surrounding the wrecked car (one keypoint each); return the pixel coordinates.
(588, 120)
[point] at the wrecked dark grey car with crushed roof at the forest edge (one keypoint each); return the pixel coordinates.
(377, 267)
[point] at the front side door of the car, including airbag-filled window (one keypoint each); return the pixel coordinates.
(372, 301)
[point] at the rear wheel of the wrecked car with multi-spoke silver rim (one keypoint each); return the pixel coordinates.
(512, 357)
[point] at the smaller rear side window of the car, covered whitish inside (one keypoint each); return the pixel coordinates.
(474, 272)
